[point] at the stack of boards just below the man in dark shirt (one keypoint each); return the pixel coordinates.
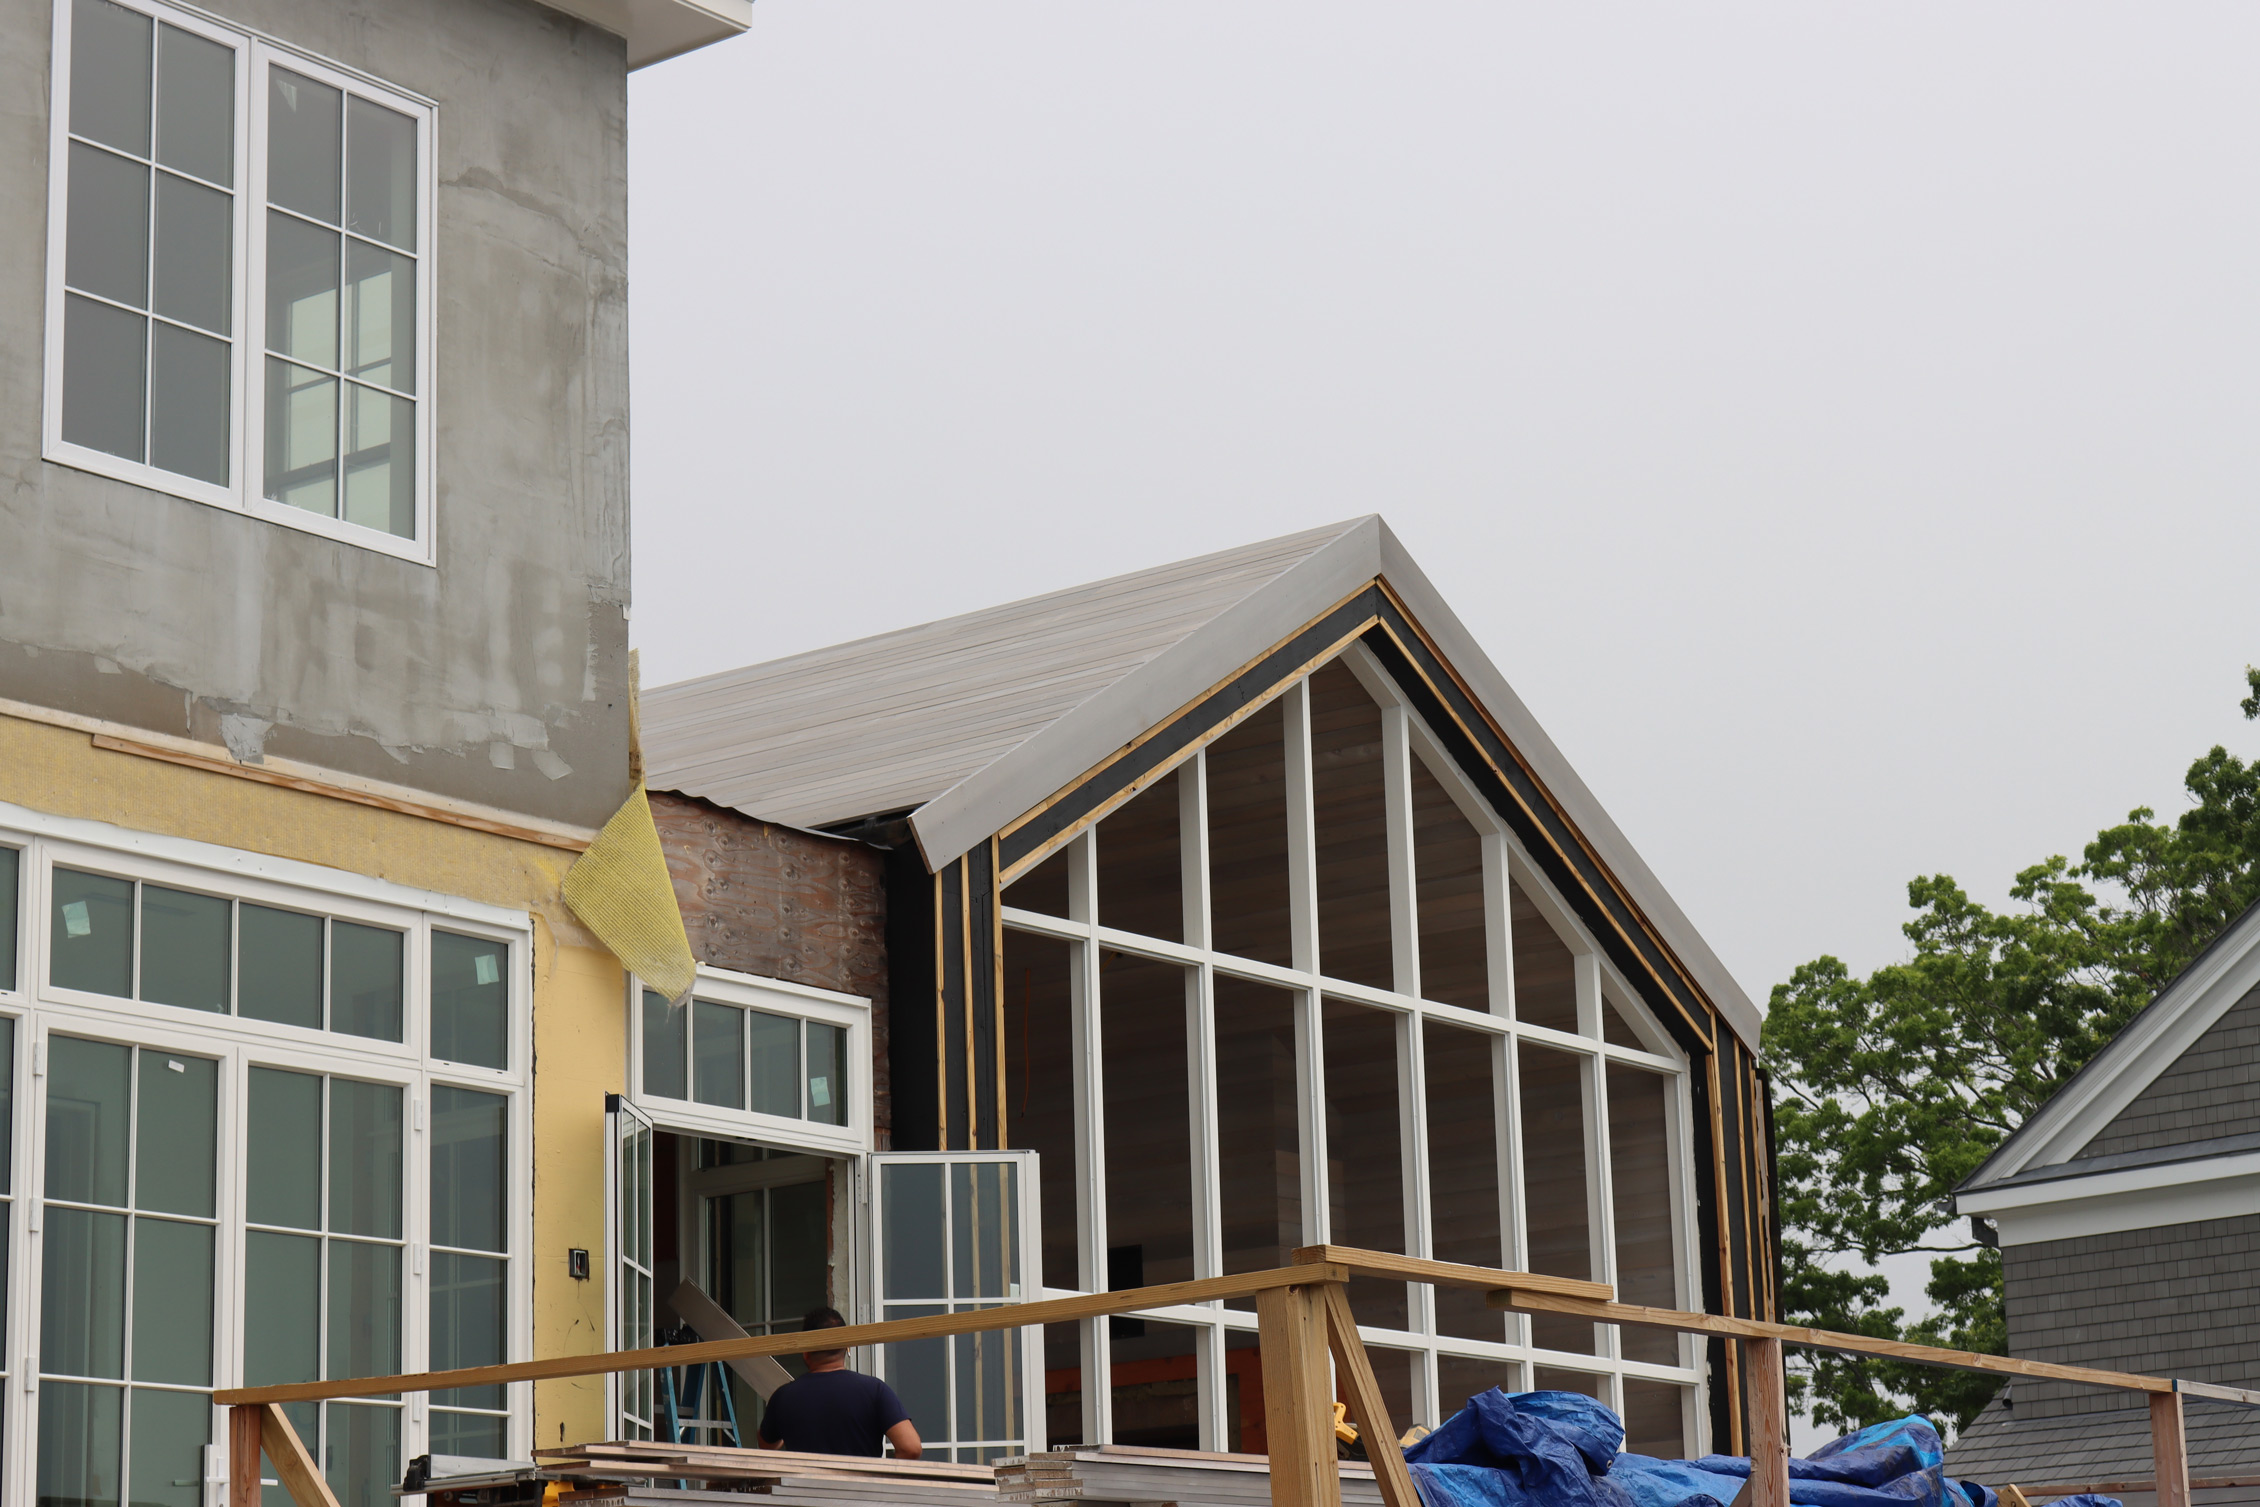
(654, 1472)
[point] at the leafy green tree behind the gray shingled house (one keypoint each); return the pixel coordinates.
(1895, 1088)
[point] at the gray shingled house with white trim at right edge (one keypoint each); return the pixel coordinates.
(2128, 1217)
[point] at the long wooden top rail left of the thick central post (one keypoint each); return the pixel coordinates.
(605, 1364)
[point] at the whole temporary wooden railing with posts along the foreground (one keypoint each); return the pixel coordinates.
(1303, 1321)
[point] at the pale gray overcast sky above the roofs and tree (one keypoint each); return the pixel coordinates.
(1836, 421)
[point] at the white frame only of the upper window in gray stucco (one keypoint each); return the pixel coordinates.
(254, 53)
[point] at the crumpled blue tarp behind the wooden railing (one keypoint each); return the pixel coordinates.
(1561, 1449)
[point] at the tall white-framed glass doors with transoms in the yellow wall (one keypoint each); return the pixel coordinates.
(259, 1124)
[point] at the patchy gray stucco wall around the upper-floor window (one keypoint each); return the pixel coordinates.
(498, 677)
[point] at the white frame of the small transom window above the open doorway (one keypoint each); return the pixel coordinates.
(776, 998)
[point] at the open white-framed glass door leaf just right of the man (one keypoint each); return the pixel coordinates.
(957, 1232)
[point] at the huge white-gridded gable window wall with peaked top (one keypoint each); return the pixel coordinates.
(1307, 988)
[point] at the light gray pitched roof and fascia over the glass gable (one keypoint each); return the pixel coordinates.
(975, 720)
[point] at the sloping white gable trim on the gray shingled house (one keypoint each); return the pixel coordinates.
(2137, 1056)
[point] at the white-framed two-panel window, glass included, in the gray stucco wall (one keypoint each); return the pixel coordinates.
(238, 275)
